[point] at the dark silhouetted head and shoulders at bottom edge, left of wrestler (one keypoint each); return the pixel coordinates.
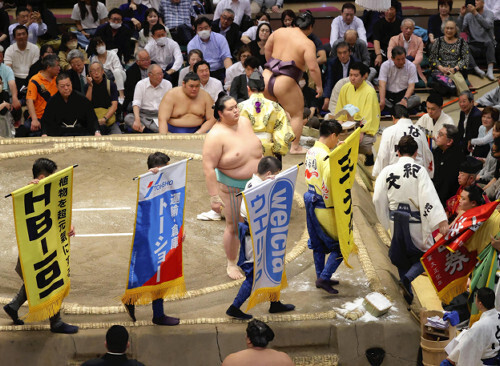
(116, 345)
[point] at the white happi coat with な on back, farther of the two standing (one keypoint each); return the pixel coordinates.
(387, 153)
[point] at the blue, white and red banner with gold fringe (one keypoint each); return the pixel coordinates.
(156, 267)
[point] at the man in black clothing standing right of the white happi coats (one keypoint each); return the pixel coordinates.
(447, 159)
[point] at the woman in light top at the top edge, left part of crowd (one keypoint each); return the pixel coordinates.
(88, 15)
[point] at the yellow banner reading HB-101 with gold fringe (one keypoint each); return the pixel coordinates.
(42, 217)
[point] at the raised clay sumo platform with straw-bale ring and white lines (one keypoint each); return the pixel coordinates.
(314, 334)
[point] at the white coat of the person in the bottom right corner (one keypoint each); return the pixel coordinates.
(481, 341)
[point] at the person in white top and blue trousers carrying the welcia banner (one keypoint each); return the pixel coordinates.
(268, 168)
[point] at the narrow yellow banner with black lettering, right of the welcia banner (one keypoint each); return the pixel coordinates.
(343, 161)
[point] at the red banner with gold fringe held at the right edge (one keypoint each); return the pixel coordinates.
(448, 263)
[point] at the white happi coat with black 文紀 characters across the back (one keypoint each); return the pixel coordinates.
(400, 182)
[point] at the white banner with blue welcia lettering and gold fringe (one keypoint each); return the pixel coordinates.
(269, 206)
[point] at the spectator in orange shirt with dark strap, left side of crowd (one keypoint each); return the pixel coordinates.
(41, 88)
